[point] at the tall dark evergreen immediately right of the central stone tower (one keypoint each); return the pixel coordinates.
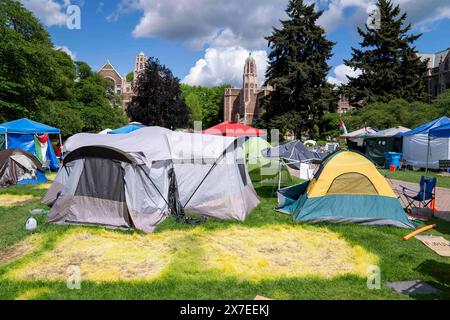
(298, 69)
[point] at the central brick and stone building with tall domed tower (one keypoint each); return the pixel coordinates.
(242, 104)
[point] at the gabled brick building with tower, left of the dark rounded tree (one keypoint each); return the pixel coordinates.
(121, 85)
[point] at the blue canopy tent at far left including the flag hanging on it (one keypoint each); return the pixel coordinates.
(30, 136)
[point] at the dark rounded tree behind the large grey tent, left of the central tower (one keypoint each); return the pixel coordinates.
(158, 99)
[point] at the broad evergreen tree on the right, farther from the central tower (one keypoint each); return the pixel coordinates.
(388, 61)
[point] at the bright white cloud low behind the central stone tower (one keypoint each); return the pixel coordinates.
(225, 65)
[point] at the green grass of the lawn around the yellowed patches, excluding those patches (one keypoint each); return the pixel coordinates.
(182, 278)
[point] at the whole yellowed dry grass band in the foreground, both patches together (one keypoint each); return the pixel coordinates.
(245, 253)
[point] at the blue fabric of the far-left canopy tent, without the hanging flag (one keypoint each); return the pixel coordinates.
(21, 134)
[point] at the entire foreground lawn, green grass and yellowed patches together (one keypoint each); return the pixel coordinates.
(266, 255)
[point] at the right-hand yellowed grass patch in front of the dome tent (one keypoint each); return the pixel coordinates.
(283, 251)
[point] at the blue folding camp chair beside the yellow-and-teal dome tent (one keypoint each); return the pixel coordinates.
(423, 197)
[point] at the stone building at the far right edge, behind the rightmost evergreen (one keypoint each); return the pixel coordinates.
(438, 74)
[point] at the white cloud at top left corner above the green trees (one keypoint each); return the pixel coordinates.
(50, 12)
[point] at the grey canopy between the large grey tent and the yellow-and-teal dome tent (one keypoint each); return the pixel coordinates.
(294, 152)
